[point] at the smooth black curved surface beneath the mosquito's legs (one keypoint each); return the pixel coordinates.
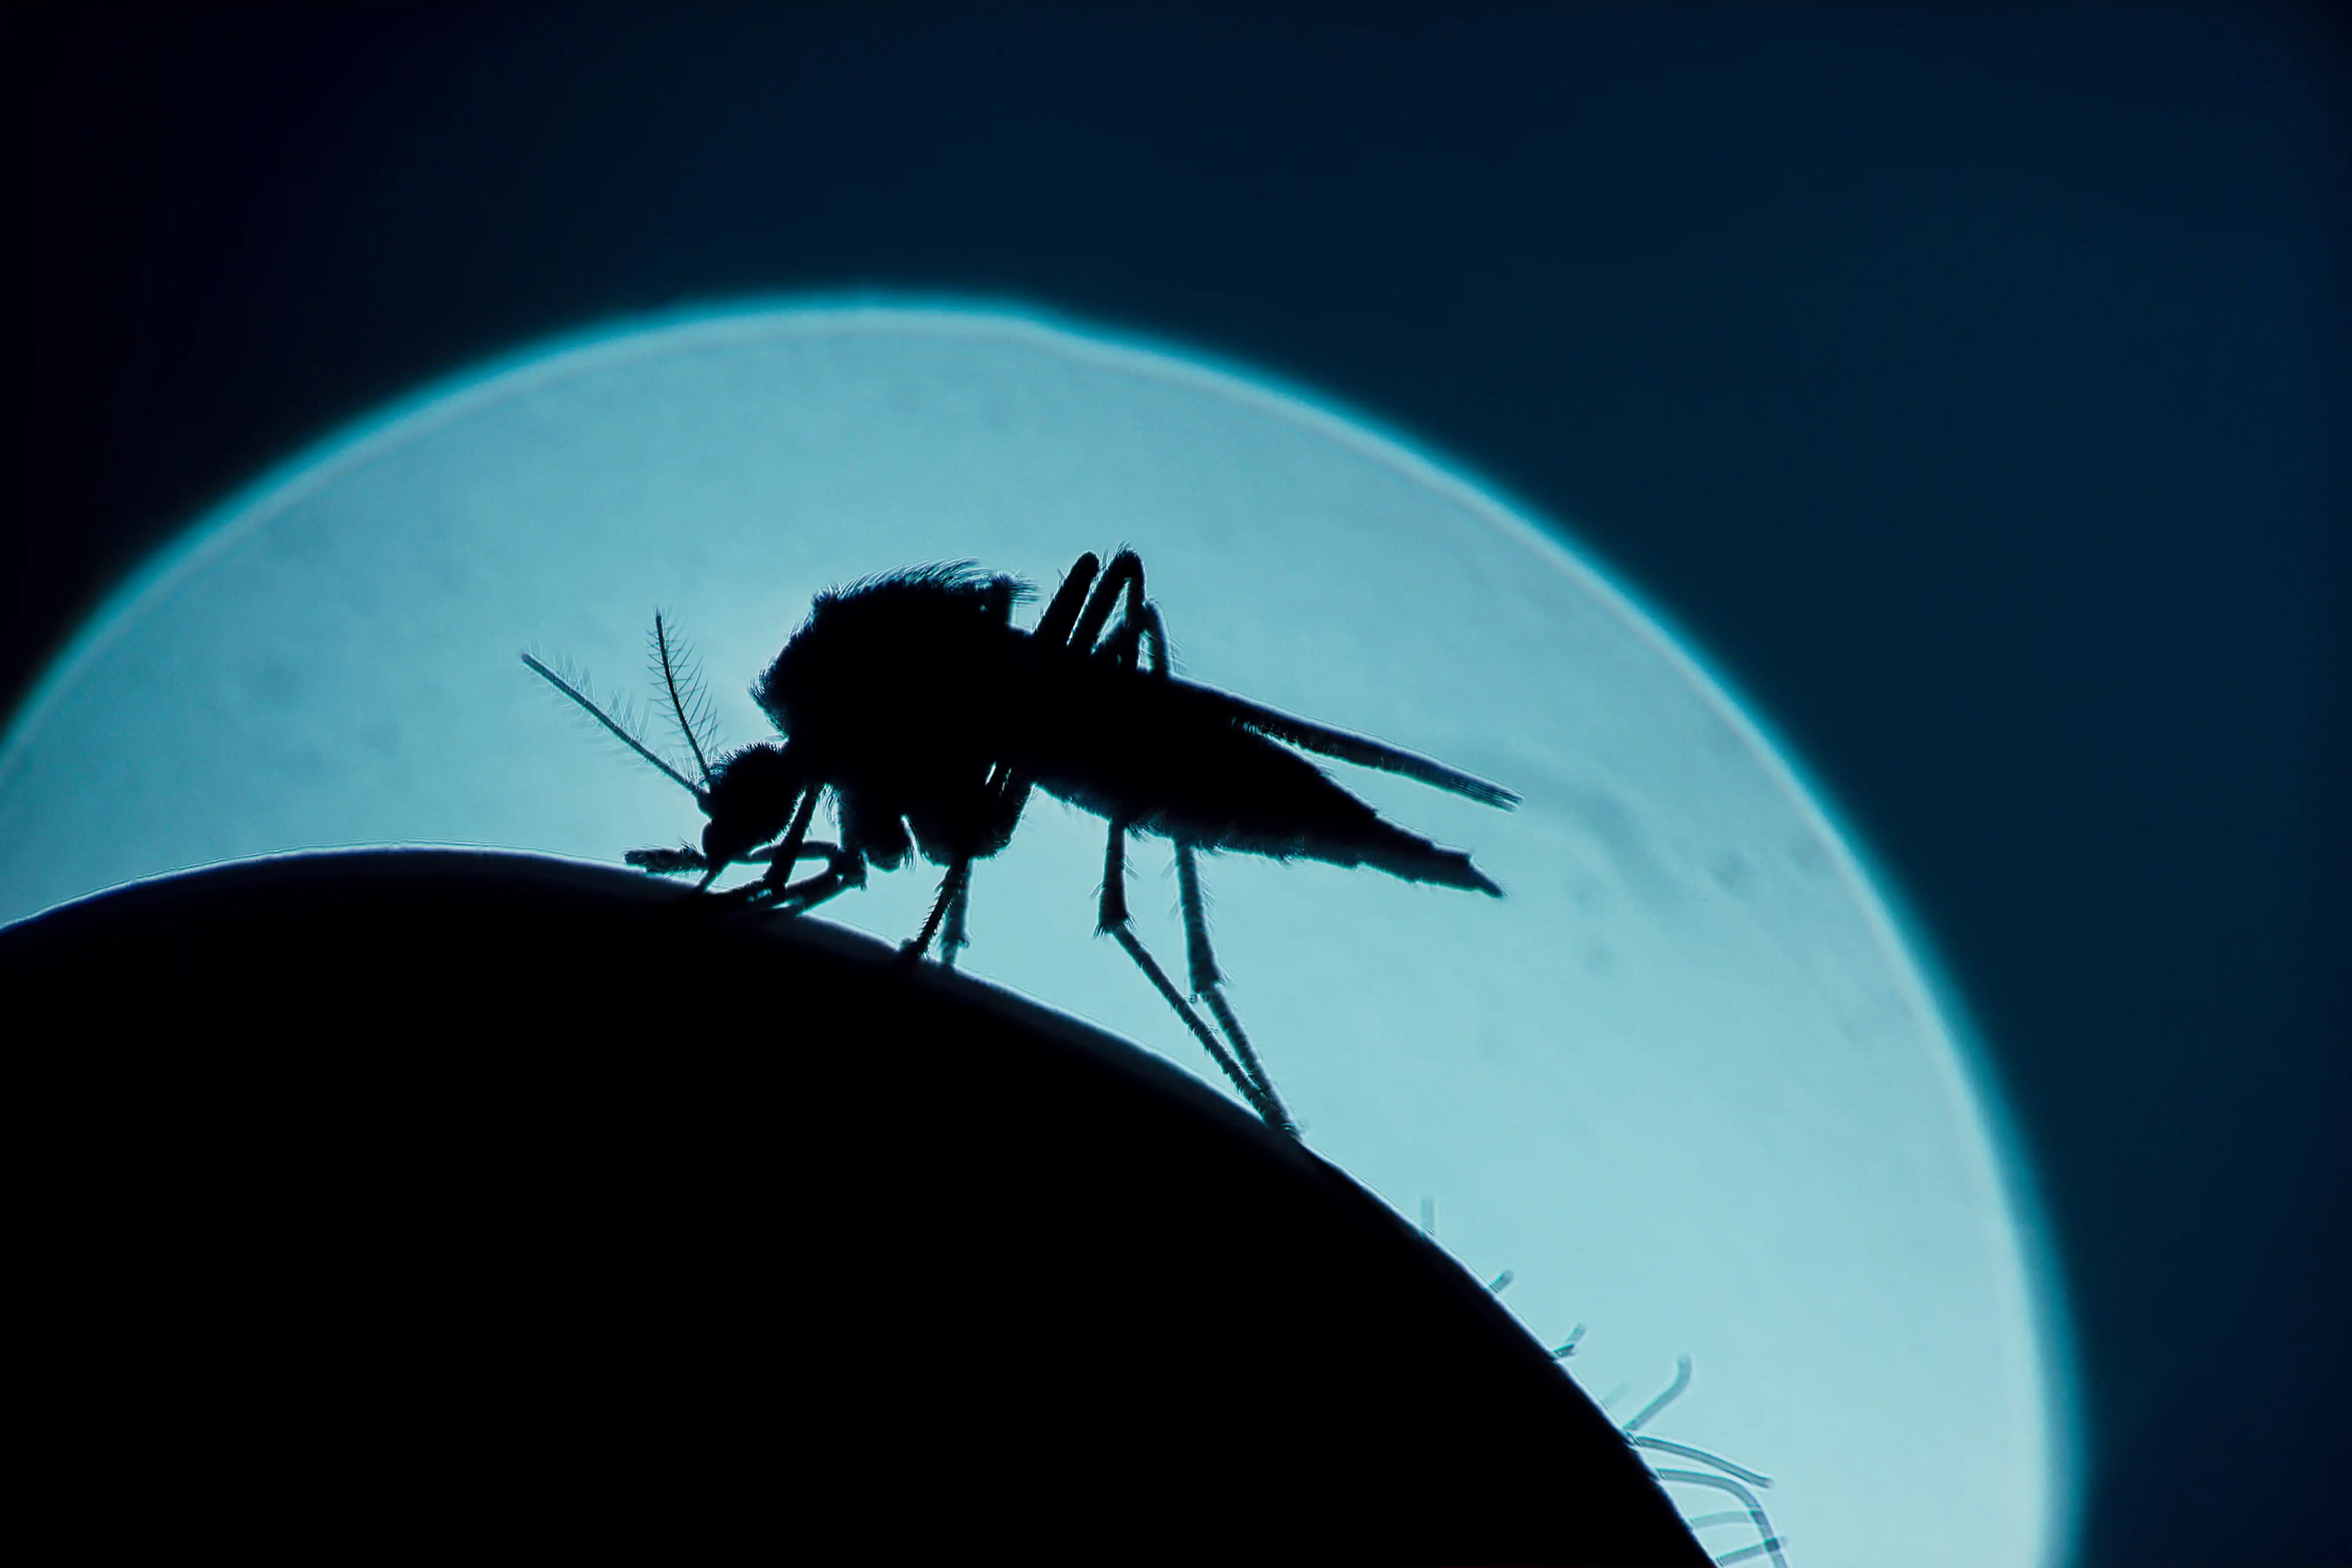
(476, 1207)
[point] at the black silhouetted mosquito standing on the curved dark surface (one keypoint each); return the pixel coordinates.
(928, 718)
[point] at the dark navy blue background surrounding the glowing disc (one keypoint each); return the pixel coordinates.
(1970, 384)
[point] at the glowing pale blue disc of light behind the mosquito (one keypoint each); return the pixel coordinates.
(1690, 1083)
